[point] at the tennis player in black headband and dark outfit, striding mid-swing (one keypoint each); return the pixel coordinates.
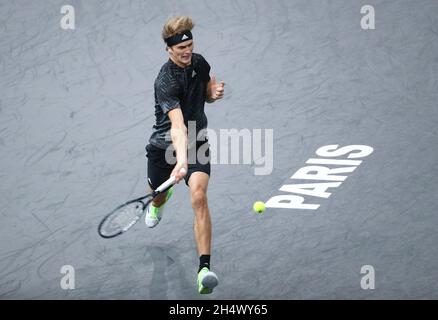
(182, 87)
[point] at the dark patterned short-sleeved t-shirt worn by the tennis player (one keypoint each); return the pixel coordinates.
(184, 88)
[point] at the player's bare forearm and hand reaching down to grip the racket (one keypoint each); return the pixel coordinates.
(178, 133)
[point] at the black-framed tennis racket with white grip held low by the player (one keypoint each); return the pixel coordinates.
(125, 216)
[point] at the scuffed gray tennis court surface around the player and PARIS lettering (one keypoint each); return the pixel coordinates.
(76, 110)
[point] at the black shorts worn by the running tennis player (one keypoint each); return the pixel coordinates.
(159, 169)
